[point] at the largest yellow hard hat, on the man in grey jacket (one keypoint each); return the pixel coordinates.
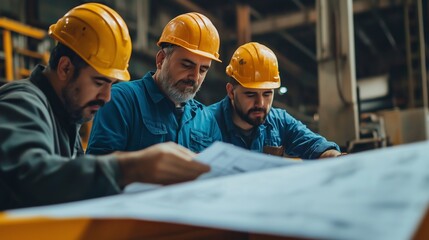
(97, 34)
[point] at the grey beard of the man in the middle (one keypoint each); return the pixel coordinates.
(172, 90)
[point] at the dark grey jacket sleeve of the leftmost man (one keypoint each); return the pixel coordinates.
(31, 171)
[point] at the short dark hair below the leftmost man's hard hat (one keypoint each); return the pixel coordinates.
(61, 50)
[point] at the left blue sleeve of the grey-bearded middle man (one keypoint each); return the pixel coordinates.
(110, 128)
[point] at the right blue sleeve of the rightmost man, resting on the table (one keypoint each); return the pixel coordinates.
(301, 141)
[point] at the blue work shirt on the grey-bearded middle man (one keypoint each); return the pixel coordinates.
(140, 115)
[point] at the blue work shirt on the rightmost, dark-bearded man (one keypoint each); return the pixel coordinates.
(279, 130)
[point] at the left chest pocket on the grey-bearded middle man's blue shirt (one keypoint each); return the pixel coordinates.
(156, 133)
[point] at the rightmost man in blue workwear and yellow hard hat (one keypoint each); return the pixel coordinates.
(246, 118)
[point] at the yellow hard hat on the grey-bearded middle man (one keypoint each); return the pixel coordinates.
(194, 32)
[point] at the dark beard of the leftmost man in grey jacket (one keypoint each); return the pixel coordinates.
(75, 112)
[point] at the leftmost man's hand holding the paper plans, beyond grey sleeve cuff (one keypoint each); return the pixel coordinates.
(164, 163)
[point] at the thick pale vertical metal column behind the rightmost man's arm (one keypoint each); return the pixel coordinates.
(337, 73)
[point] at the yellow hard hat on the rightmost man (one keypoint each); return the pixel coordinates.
(254, 65)
